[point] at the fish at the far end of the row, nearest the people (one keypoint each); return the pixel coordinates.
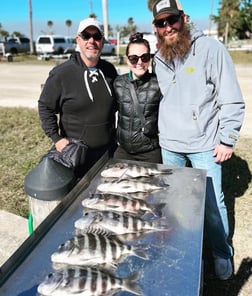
(126, 171)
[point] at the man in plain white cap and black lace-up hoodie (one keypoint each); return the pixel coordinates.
(79, 91)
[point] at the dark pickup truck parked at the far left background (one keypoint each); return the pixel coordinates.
(15, 45)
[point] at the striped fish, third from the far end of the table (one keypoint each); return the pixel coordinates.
(117, 203)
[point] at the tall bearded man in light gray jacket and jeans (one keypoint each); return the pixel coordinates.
(200, 114)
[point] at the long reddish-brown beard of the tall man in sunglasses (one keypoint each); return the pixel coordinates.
(177, 48)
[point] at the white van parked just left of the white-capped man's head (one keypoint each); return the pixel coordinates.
(54, 44)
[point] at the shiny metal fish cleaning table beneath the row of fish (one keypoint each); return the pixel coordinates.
(175, 256)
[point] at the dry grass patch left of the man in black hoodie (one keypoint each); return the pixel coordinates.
(22, 145)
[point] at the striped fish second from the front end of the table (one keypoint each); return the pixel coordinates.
(91, 249)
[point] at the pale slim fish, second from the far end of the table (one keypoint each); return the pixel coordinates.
(127, 186)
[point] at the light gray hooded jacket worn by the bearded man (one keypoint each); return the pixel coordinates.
(202, 104)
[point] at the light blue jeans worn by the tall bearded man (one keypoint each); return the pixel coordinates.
(216, 219)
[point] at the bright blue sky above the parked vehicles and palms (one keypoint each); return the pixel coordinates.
(14, 15)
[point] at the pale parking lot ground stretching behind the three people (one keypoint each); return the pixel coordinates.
(21, 85)
